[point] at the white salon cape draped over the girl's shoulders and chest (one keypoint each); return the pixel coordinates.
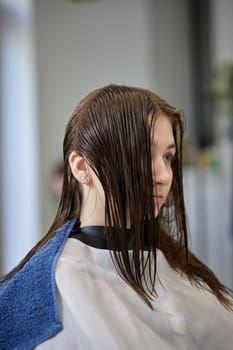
(99, 311)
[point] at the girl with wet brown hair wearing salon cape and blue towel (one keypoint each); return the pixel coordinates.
(114, 270)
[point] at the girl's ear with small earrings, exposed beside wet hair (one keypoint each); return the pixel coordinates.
(79, 168)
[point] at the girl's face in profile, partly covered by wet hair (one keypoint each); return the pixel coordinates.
(163, 152)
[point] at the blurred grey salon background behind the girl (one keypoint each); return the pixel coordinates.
(53, 52)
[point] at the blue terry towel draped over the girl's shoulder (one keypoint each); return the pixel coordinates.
(28, 307)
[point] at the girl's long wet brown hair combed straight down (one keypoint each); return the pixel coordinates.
(111, 129)
